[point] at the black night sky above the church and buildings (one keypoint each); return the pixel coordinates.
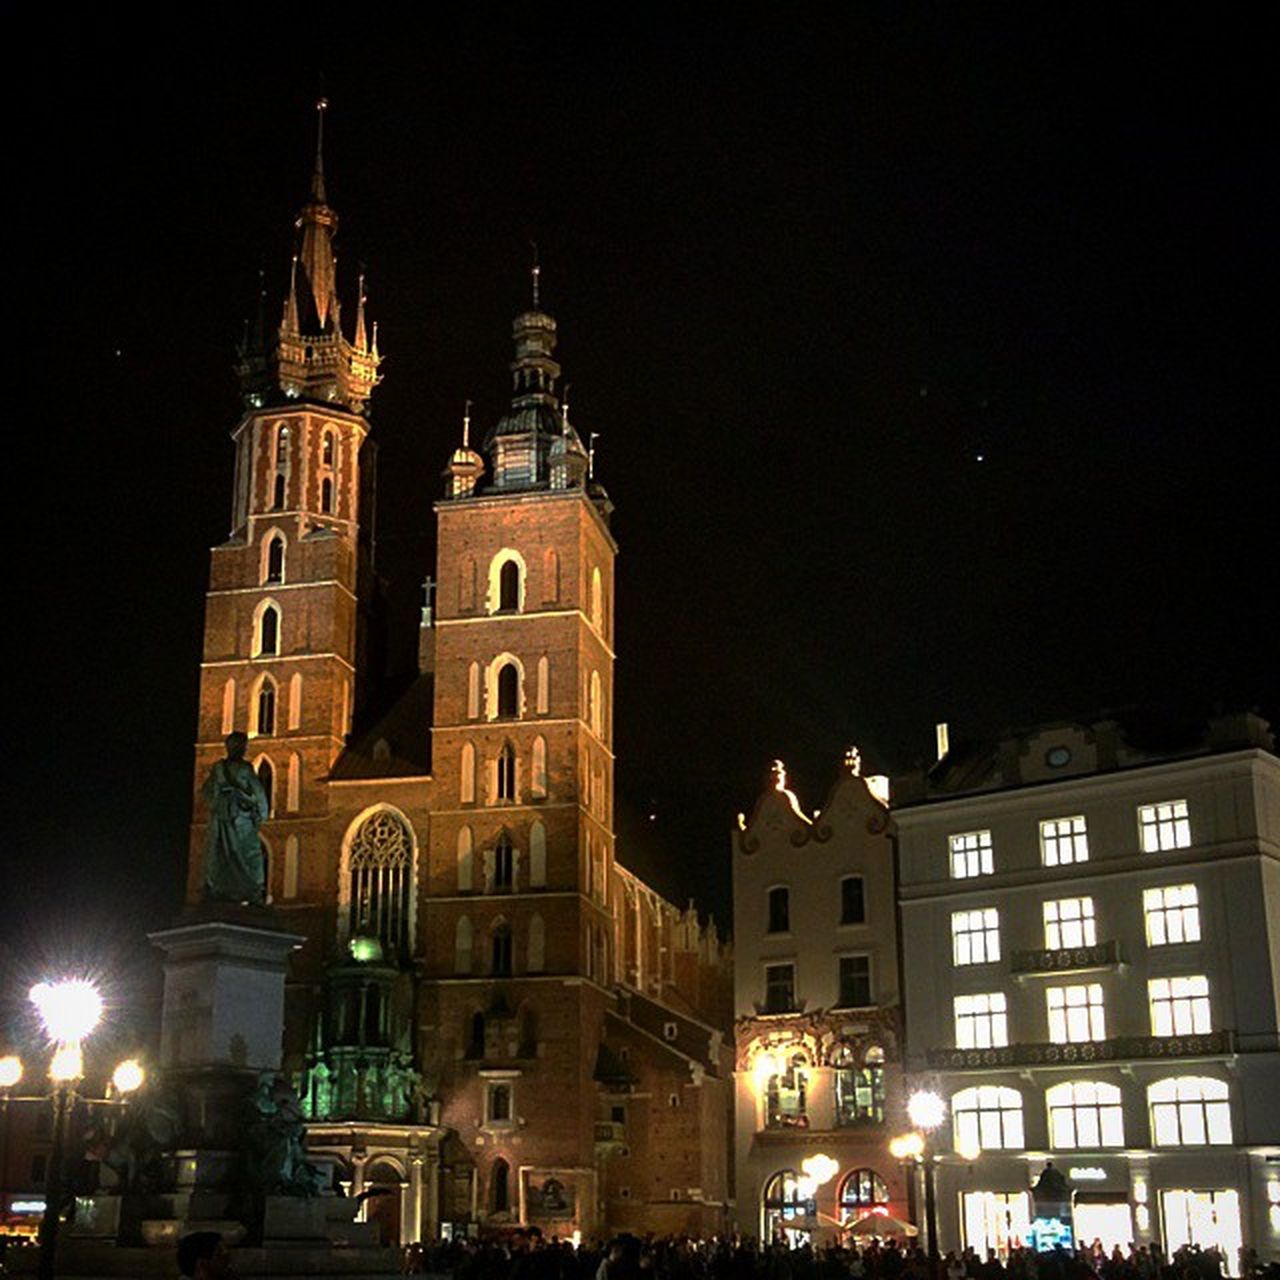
(932, 359)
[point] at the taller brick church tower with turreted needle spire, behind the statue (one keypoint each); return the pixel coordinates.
(281, 618)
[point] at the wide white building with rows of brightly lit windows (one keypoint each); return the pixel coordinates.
(1092, 977)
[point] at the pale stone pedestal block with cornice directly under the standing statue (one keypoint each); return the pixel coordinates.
(225, 991)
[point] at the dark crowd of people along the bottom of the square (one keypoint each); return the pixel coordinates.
(531, 1256)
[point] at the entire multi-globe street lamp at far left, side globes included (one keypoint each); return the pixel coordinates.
(70, 1012)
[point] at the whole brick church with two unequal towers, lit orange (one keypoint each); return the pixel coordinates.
(493, 1022)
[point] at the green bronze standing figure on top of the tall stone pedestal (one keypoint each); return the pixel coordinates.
(235, 866)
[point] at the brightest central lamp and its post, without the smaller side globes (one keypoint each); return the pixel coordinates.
(70, 1011)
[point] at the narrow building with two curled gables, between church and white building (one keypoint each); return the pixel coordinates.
(819, 1023)
